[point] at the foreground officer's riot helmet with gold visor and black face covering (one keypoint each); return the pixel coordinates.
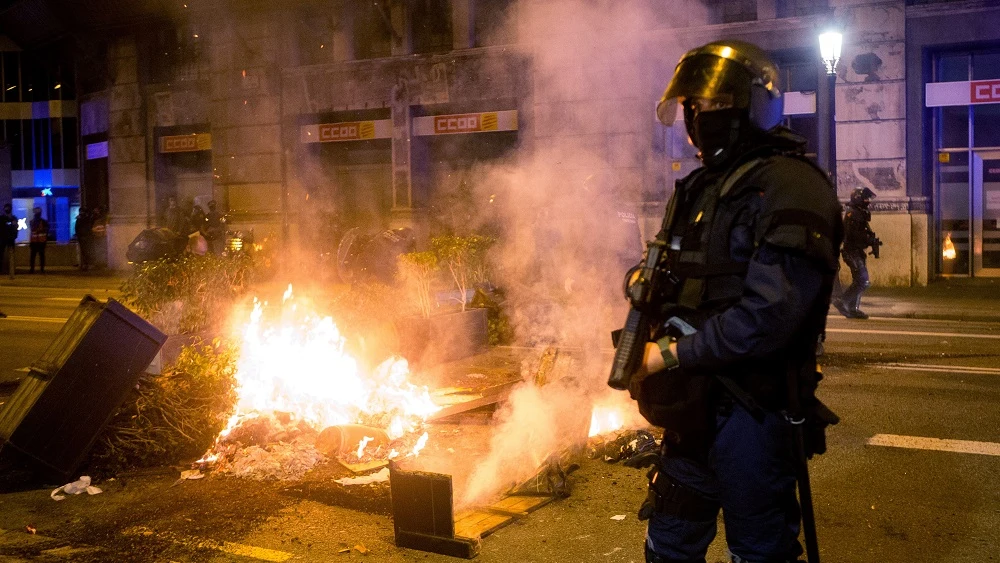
(738, 72)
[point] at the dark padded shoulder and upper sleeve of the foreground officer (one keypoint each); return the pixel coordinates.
(800, 210)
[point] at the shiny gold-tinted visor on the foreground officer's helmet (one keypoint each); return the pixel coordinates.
(704, 76)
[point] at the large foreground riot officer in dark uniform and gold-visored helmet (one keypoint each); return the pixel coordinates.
(753, 237)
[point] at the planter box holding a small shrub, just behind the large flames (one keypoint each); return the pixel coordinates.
(442, 338)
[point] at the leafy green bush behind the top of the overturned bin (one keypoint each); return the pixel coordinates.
(205, 287)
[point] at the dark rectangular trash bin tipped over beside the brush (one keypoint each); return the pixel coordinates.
(72, 391)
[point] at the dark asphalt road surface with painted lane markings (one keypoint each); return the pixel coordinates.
(910, 475)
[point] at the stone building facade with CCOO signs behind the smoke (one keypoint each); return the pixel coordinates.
(317, 116)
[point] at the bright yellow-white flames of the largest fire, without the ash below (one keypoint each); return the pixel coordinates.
(295, 366)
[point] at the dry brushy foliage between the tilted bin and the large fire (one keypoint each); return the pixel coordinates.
(174, 416)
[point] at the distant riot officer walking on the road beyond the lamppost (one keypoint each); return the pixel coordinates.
(858, 237)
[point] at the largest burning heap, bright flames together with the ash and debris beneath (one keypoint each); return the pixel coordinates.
(302, 398)
